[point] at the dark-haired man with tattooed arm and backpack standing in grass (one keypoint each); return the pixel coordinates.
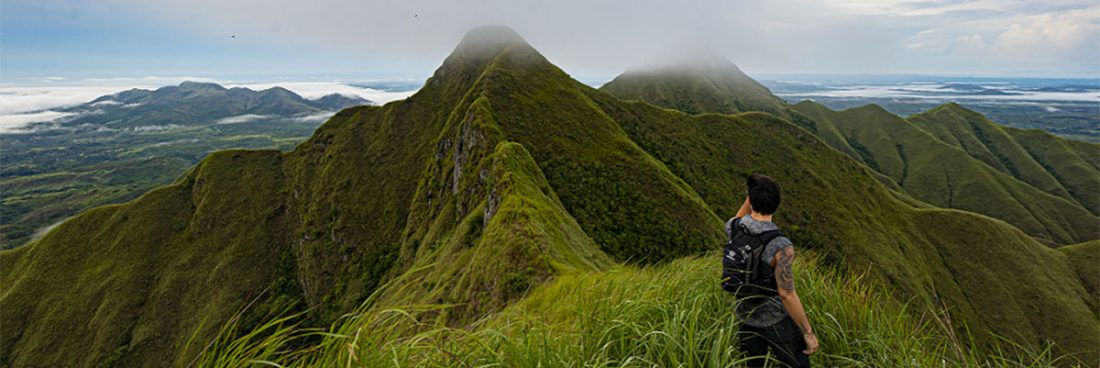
(757, 270)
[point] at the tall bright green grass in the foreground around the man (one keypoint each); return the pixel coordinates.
(668, 316)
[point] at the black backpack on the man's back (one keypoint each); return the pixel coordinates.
(742, 269)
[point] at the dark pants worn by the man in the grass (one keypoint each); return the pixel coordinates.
(784, 339)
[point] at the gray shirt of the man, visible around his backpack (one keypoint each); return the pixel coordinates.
(763, 311)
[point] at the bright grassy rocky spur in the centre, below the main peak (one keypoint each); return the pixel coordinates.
(521, 228)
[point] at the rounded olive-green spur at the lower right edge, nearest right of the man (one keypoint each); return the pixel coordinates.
(1020, 314)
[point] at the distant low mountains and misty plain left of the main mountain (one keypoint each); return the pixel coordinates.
(118, 147)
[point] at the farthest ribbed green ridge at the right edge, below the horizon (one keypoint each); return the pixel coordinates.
(1043, 161)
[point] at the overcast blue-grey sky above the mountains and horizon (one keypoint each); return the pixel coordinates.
(589, 39)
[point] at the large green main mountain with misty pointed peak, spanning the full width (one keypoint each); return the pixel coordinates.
(501, 175)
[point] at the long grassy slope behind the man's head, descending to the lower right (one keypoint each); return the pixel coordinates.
(851, 218)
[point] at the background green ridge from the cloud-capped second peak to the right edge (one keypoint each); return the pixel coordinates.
(910, 155)
